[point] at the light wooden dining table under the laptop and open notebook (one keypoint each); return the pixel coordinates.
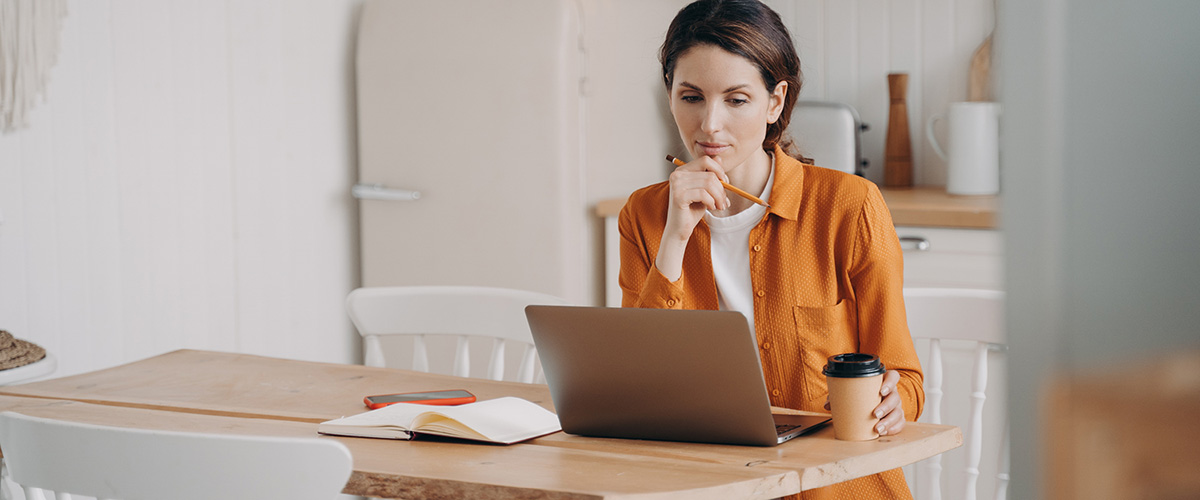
(218, 393)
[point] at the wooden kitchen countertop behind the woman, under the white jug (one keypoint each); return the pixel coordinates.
(925, 206)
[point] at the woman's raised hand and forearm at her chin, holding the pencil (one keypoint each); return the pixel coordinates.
(695, 188)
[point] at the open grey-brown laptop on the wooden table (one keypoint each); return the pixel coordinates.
(661, 375)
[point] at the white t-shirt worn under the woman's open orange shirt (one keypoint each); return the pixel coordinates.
(731, 255)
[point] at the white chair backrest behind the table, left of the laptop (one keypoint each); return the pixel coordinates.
(463, 312)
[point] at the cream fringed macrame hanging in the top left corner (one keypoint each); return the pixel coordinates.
(29, 47)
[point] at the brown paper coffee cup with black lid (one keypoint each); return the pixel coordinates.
(855, 381)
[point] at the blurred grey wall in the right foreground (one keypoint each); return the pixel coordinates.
(1102, 166)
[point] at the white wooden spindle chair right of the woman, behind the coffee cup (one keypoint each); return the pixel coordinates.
(971, 324)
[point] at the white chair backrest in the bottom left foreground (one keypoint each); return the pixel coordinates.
(139, 465)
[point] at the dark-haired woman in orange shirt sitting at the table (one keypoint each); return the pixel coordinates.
(819, 273)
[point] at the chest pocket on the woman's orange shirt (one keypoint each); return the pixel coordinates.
(824, 332)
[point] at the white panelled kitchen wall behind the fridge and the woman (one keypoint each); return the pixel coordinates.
(185, 184)
